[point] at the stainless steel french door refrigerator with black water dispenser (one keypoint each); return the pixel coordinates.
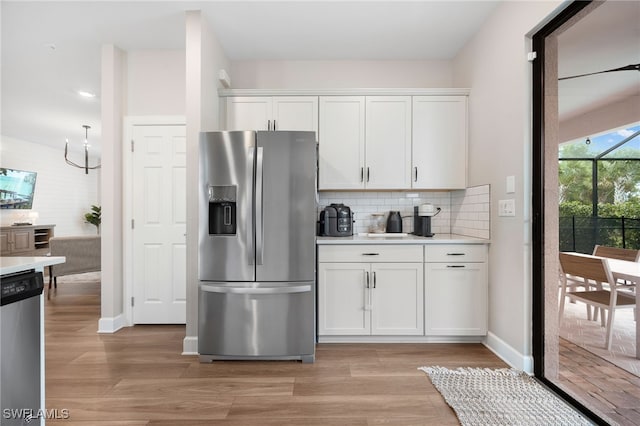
(257, 208)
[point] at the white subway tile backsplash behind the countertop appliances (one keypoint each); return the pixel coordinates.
(464, 212)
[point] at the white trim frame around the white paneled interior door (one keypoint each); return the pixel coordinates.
(130, 122)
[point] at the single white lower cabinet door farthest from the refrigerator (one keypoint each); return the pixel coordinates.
(456, 299)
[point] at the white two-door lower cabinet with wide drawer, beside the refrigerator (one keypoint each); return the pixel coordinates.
(370, 298)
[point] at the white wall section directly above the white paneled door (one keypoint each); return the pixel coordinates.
(156, 82)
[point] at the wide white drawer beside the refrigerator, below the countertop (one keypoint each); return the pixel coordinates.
(370, 253)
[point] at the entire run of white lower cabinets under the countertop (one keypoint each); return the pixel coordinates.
(427, 293)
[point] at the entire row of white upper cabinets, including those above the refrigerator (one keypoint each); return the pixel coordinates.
(381, 142)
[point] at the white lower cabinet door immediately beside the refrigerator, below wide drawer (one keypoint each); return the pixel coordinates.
(343, 299)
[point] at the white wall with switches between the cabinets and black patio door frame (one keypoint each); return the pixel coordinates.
(494, 65)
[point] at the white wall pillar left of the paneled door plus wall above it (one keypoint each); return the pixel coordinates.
(136, 83)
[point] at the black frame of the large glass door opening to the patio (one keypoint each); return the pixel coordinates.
(545, 265)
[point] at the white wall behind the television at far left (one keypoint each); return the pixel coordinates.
(63, 194)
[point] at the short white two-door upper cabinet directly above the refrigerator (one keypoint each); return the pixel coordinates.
(272, 113)
